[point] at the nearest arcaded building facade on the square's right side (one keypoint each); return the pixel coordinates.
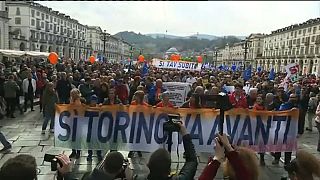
(297, 43)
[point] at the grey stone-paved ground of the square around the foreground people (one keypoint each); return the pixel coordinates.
(24, 132)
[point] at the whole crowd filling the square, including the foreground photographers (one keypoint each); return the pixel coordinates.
(104, 83)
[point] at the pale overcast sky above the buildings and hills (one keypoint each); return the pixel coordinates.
(220, 18)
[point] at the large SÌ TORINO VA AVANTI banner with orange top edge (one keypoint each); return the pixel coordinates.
(139, 128)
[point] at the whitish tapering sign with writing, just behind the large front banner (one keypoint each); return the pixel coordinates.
(177, 92)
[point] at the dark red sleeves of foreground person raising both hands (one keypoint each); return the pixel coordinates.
(241, 172)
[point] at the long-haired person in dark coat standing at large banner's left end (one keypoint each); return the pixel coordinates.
(50, 98)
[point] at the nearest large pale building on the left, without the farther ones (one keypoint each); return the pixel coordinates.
(38, 28)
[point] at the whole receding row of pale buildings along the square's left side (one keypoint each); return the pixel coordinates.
(35, 27)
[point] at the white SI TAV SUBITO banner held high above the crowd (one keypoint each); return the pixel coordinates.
(181, 65)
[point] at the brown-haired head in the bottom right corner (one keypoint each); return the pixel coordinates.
(304, 167)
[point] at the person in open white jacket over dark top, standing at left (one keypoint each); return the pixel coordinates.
(29, 89)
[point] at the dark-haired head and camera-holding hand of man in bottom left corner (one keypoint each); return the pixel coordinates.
(24, 167)
